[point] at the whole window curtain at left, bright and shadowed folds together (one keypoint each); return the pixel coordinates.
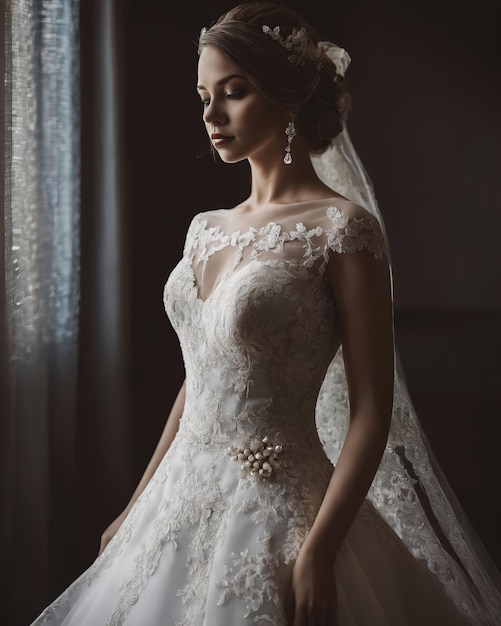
(62, 360)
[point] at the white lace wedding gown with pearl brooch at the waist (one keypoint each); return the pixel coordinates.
(213, 538)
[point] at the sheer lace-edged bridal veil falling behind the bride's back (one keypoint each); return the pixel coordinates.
(409, 489)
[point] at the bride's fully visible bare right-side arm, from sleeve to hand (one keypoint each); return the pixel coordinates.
(361, 285)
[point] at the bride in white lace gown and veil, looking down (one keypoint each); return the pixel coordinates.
(239, 518)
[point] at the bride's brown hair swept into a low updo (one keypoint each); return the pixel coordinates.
(315, 91)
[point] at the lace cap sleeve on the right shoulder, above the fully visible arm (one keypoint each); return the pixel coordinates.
(350, 234)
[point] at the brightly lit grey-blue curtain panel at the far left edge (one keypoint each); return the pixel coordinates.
(41, 274)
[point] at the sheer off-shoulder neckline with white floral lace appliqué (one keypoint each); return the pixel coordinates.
(213, 234)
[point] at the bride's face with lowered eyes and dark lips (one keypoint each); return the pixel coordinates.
(240, 122)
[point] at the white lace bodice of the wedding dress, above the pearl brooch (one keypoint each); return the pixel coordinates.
(257, 323)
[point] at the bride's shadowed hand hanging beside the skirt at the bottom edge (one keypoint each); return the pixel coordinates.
(312, 600)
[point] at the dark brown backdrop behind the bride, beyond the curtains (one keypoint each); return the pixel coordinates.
(426, 99)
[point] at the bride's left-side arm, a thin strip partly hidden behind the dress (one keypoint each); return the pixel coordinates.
(167, 437)
